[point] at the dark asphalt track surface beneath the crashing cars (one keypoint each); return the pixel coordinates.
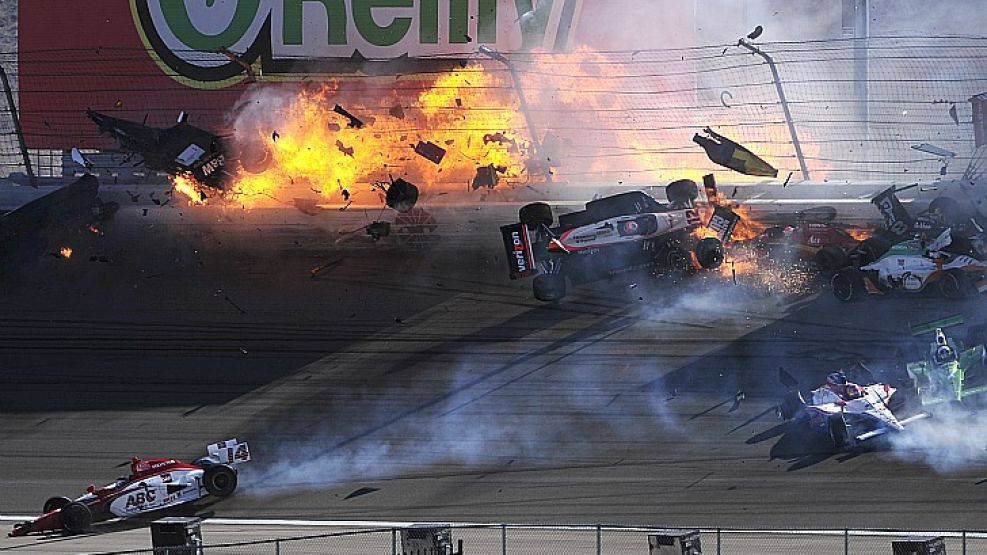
(444, 389)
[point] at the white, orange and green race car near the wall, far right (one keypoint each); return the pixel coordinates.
(954, 267)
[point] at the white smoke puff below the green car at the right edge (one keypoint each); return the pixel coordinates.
(952, 440)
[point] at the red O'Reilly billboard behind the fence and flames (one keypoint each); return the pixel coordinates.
(149, 59)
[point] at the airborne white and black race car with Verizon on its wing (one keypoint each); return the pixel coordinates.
(616, 234)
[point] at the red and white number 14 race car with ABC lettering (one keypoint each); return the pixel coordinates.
(153, 485)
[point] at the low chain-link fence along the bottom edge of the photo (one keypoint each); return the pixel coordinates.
(599, 540)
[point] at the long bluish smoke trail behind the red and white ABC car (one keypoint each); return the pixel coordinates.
(539, 408)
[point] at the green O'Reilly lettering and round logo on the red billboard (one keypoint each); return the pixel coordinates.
(190, 36)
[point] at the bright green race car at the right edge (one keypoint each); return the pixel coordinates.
(948, 372)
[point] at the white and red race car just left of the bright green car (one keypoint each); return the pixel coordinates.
(844, 413)
